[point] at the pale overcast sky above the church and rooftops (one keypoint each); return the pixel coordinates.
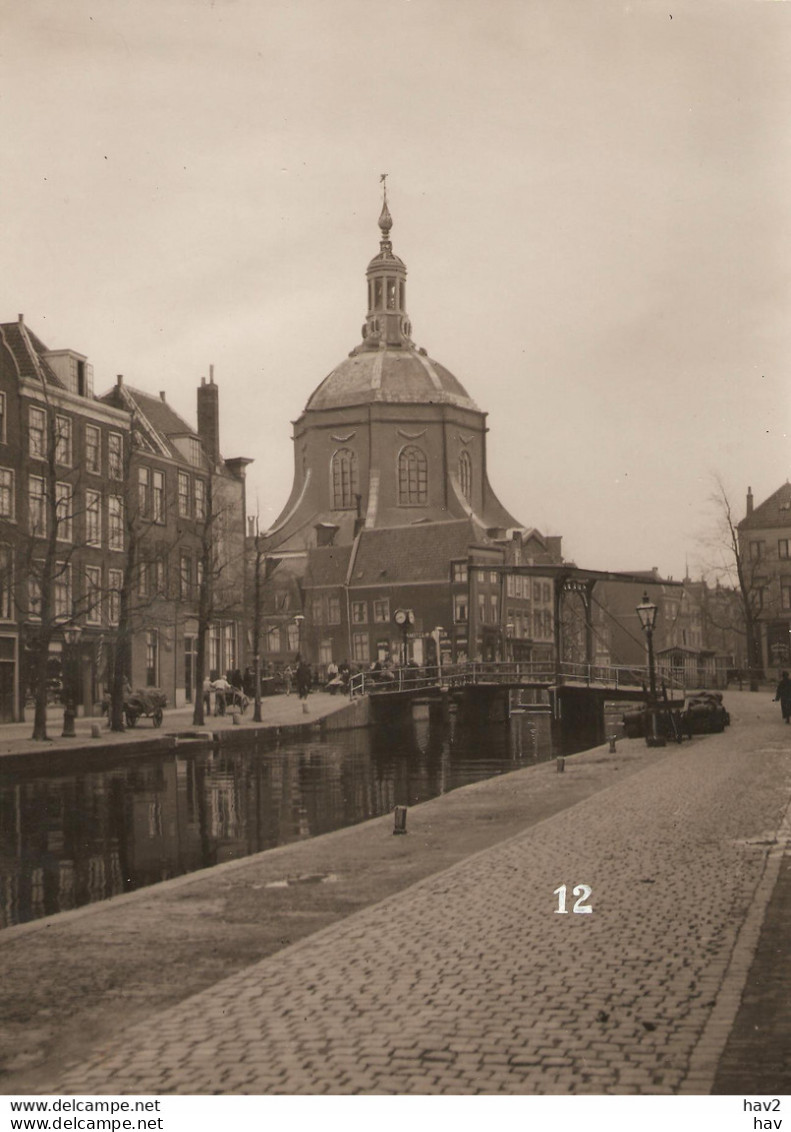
(592, 201)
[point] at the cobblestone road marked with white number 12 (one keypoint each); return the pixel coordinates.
(471, 982)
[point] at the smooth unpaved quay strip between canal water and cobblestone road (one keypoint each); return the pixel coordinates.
(78, 980)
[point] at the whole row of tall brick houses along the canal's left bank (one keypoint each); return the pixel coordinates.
(108, 500)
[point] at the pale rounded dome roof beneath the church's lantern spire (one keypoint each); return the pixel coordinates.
(402, 375)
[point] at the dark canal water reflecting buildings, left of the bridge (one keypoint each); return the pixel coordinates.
(71, 839)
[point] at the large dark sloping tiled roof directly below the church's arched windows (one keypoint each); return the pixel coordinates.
(412, 554)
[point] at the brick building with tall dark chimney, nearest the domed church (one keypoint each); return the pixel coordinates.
(180, 484)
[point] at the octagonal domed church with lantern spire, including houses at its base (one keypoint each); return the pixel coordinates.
(392, 510)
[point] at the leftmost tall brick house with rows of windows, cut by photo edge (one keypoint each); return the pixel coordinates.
(41, 390)
